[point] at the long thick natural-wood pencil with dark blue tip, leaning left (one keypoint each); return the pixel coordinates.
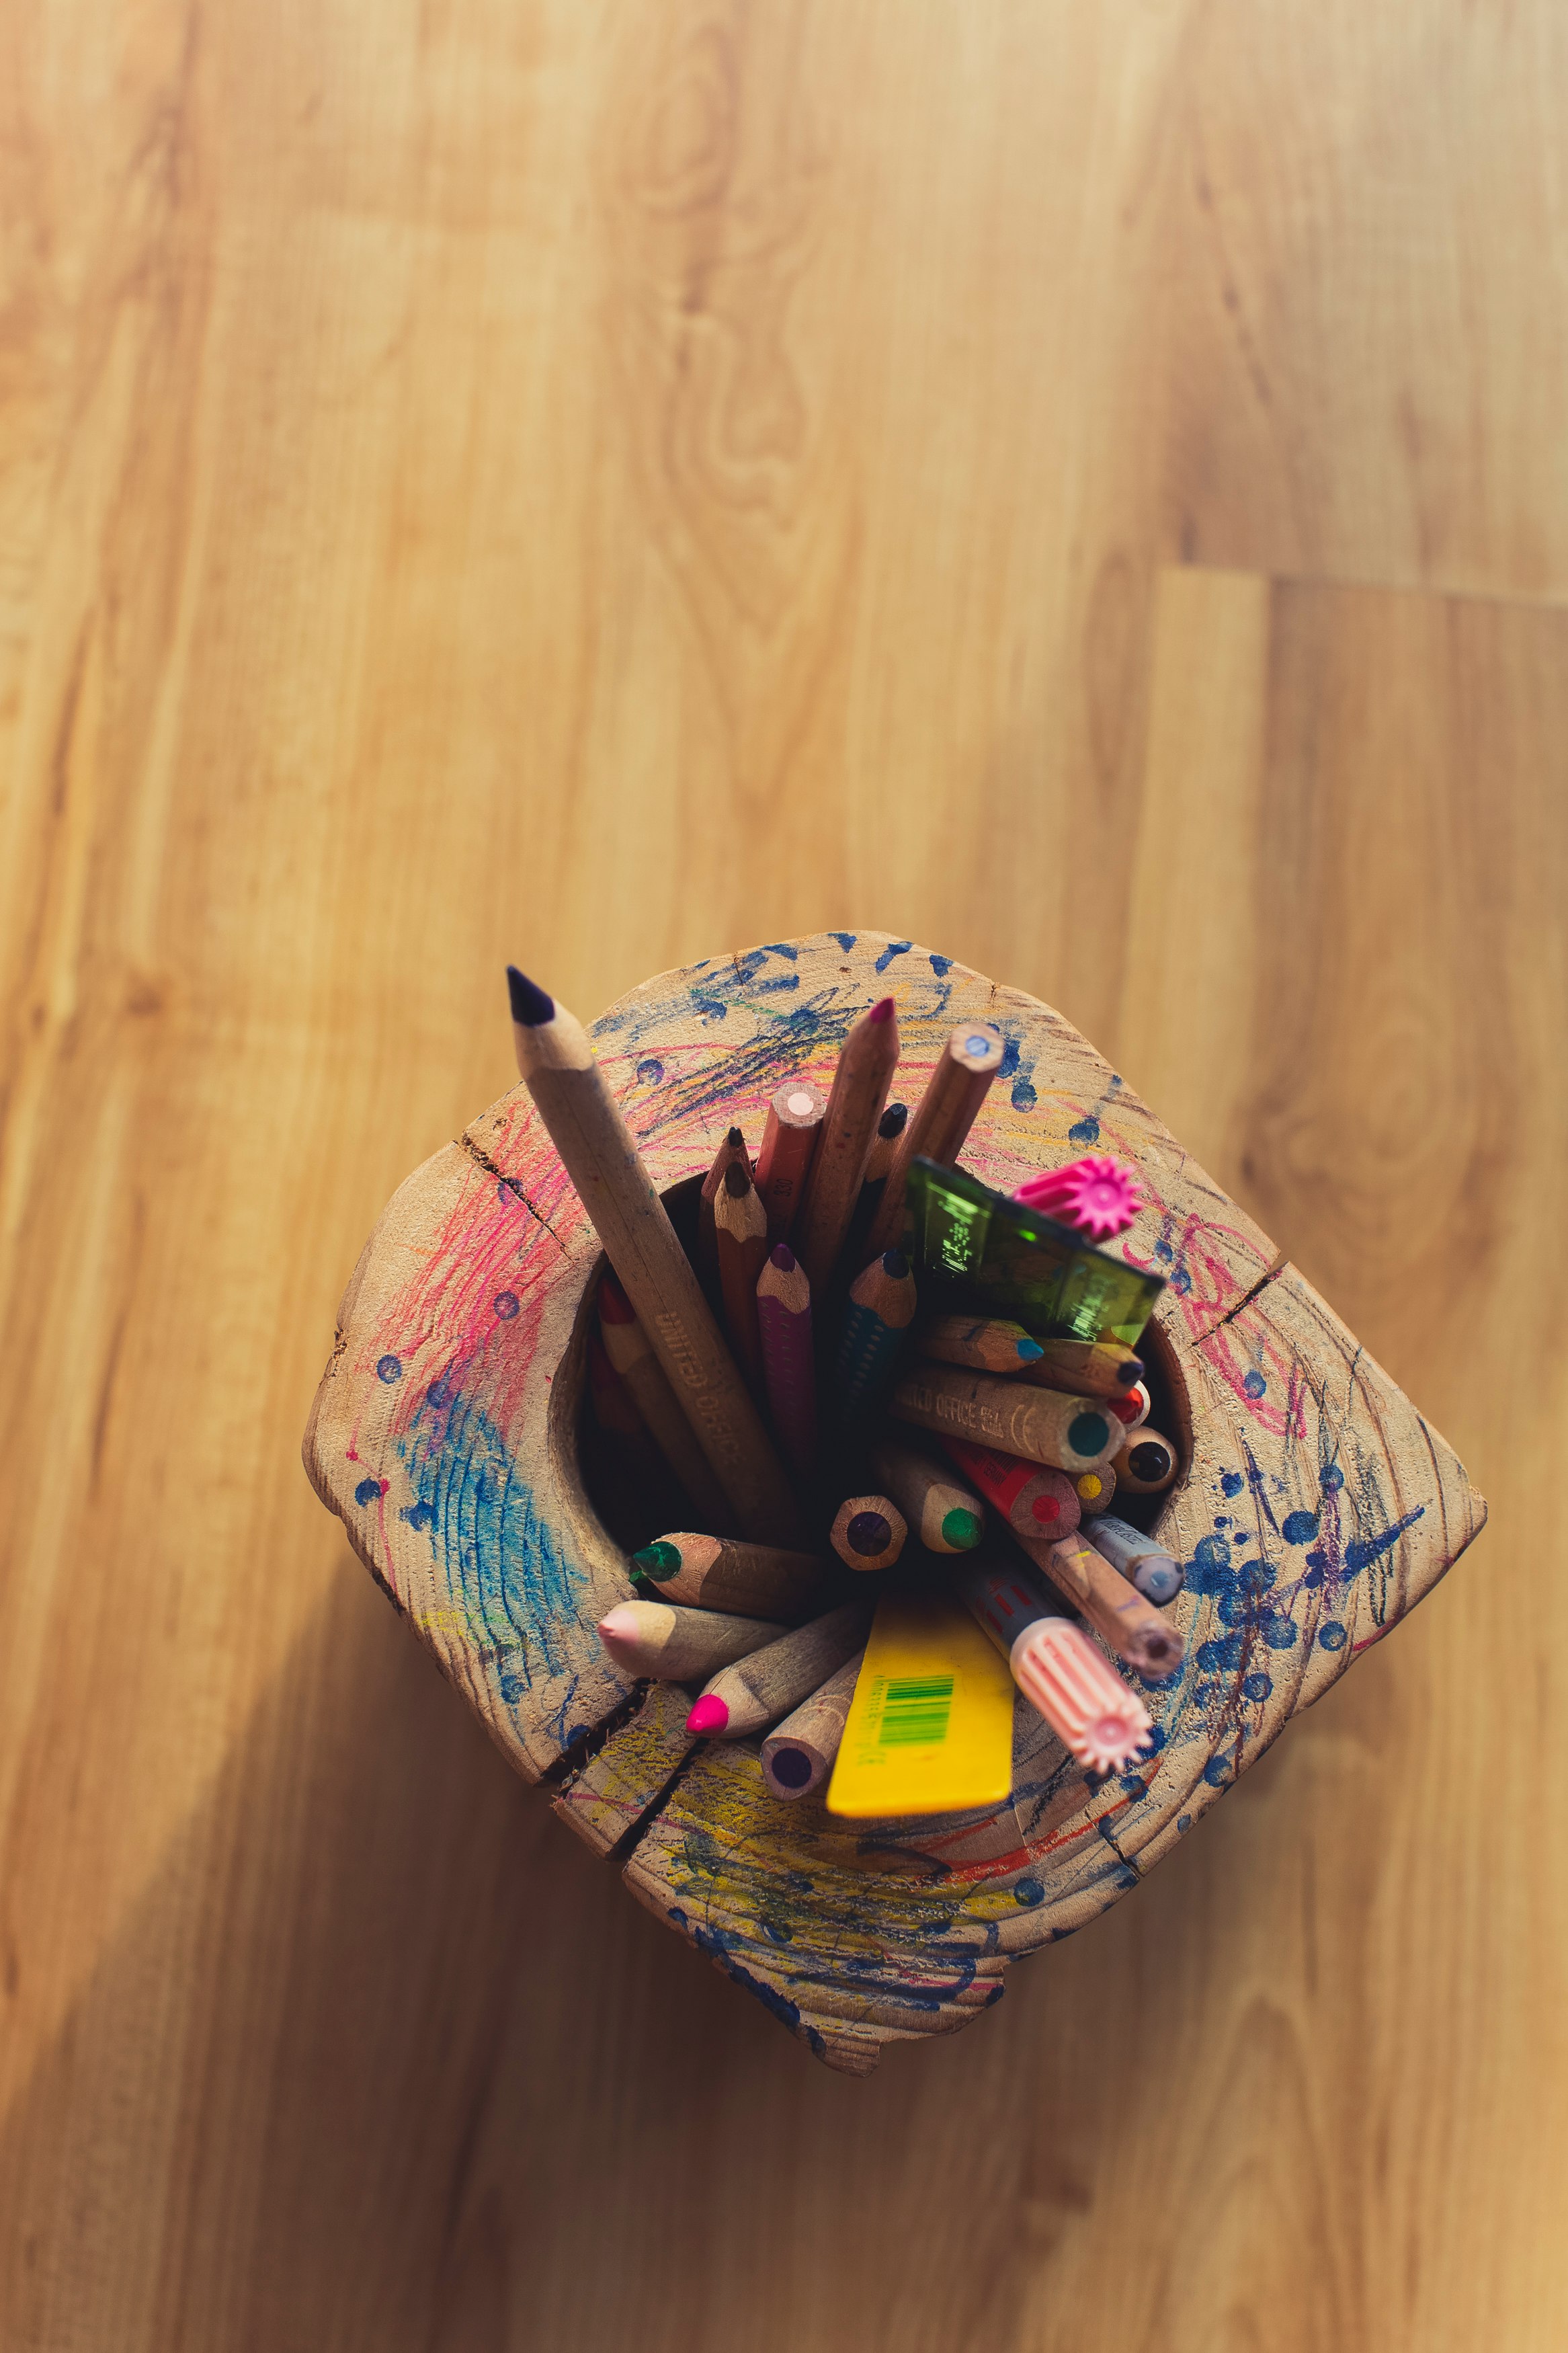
(624, 1206)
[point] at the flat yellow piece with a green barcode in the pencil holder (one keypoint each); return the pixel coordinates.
(932, 1724)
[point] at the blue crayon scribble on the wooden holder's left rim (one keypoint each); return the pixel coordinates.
(511, 1571)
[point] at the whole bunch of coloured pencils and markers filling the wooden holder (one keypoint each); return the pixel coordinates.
(833, 1406)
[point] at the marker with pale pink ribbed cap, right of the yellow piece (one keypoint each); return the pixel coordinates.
(1057, 1667)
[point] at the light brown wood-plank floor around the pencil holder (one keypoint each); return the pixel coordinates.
(1076, 484)
